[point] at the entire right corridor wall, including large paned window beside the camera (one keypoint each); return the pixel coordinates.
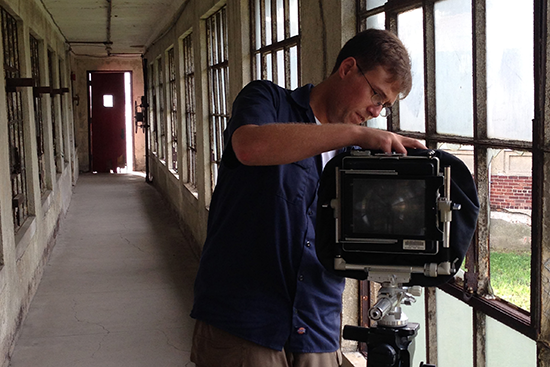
(475, 94)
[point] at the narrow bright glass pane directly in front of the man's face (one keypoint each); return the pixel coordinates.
(410, 30)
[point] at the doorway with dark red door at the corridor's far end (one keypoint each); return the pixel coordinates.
(110, 121)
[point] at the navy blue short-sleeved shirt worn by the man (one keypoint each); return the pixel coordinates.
(259, 276)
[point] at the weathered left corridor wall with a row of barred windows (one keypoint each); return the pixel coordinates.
(38, 157)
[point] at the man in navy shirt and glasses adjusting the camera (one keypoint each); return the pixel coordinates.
(262, 298)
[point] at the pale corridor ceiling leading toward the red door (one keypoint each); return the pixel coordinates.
(113, 27)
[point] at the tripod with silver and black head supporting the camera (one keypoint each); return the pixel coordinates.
(388, 343)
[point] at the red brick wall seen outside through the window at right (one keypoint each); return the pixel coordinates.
(510, 192)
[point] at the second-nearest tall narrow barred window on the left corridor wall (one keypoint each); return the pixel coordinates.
(38, 113)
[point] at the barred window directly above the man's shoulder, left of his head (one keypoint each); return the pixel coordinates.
(276, 49)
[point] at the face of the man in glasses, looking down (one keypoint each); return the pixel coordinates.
(363, 94)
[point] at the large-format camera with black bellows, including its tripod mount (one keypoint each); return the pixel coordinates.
(401, 221)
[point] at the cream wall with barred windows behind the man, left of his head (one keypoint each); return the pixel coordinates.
(217, 48)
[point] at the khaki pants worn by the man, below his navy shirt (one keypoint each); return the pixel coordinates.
(213, 347)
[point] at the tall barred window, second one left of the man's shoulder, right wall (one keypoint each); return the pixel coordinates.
(190, 110)
